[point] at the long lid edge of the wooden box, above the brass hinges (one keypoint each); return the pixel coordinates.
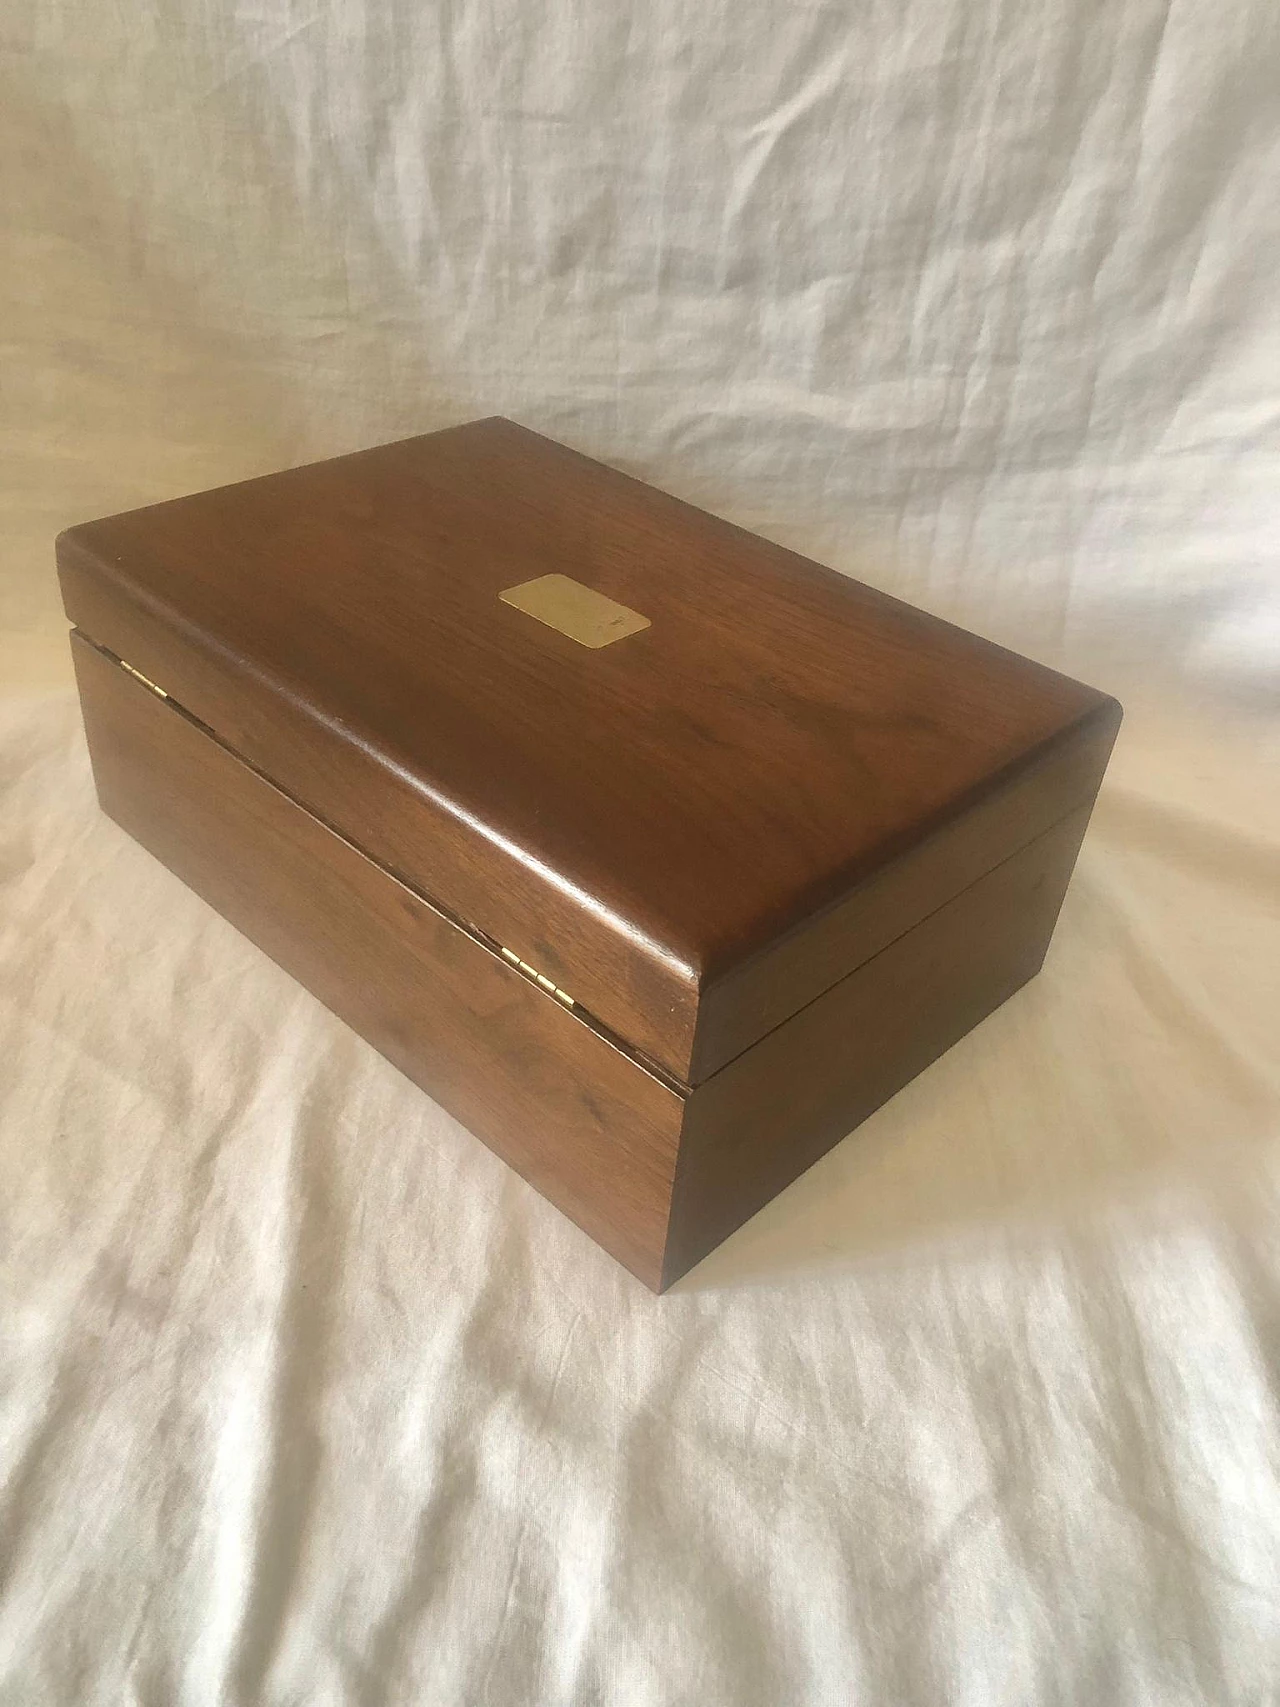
(349, 783)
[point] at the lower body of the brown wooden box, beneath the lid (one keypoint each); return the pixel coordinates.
(653, 1172)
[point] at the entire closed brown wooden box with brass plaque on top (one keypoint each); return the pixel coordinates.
(658, 854)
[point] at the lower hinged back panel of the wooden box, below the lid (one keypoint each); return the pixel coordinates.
(581, 1122)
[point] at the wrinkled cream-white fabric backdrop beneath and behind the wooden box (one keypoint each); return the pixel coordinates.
(303, 1395)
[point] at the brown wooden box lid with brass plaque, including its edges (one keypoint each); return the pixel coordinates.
(692, 796)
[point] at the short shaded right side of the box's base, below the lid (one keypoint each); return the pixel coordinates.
(767, 1117)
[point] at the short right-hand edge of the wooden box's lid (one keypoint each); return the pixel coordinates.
(765, 991)
